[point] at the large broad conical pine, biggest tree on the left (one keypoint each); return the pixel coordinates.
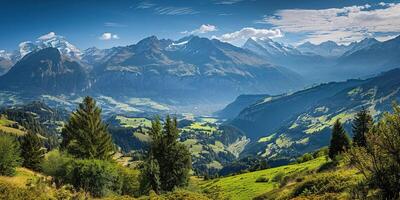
(85, 135)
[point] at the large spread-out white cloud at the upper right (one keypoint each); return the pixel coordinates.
(342, 25)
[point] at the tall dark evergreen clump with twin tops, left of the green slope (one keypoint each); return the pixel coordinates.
(173, 158)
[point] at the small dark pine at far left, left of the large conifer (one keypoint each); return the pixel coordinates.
(32, 151)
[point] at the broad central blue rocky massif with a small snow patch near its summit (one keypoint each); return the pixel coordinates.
(192, 68)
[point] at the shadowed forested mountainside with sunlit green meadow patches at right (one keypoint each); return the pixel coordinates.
(291, 125)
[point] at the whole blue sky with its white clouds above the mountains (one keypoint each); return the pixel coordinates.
(111, 23)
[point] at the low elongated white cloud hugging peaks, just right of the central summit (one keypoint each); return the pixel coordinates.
(242, 35)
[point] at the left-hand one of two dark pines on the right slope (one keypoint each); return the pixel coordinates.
(339, 141)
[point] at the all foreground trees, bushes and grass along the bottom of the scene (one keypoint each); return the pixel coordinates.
(84, 165)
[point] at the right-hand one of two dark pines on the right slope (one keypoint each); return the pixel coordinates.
(361, 125)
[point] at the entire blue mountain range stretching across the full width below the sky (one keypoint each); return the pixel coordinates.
(191, 72)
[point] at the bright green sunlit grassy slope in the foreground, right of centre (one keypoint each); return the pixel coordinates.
(244, 186)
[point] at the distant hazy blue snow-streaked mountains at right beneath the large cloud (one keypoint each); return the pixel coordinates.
(329, 61)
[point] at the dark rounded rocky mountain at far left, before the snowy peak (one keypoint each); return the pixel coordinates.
(45, 71)
